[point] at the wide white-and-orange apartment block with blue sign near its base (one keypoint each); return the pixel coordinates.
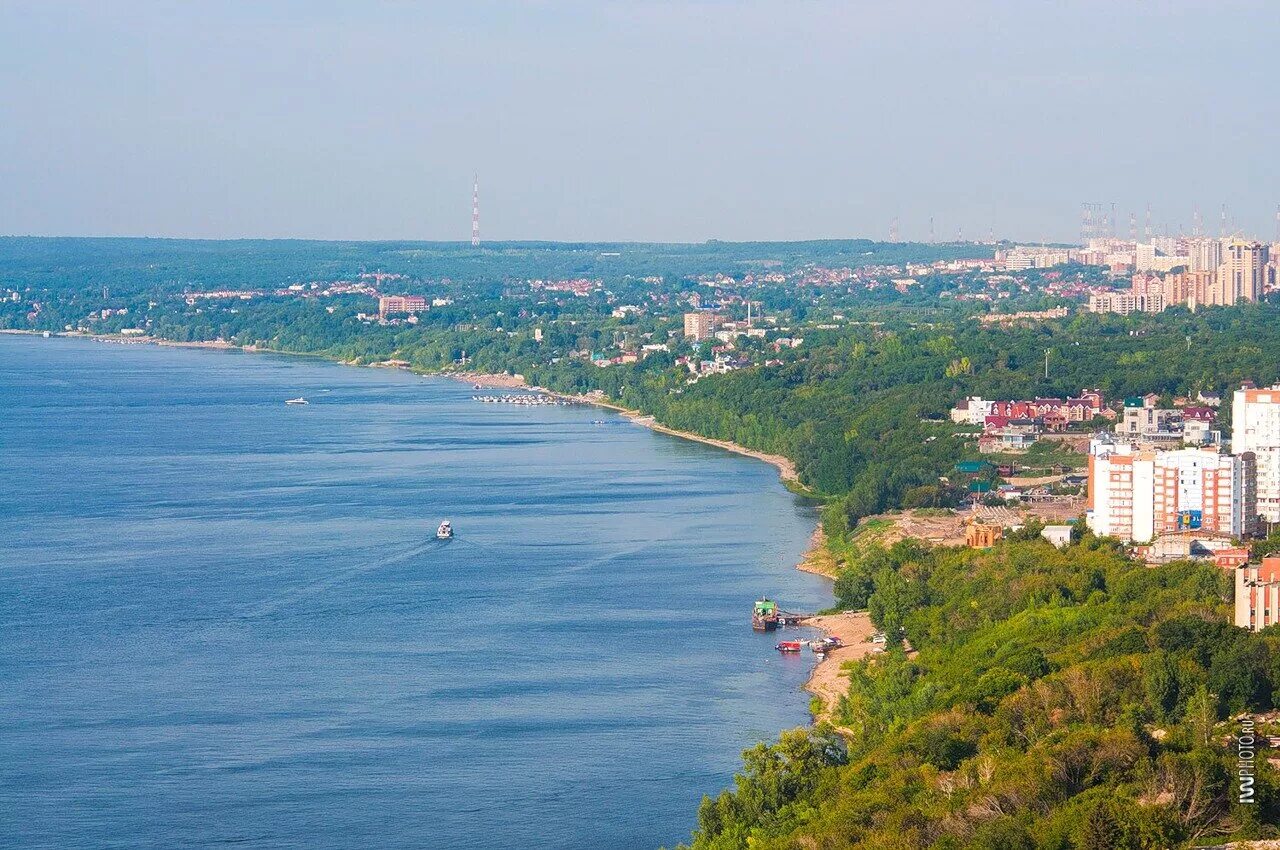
(1142, 495)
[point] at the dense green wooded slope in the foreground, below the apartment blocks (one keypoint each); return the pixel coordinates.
(1052, 701)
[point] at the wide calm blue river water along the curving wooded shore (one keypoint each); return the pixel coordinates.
(225, 620)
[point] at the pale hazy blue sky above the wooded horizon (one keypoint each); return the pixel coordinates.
(634, 120)
